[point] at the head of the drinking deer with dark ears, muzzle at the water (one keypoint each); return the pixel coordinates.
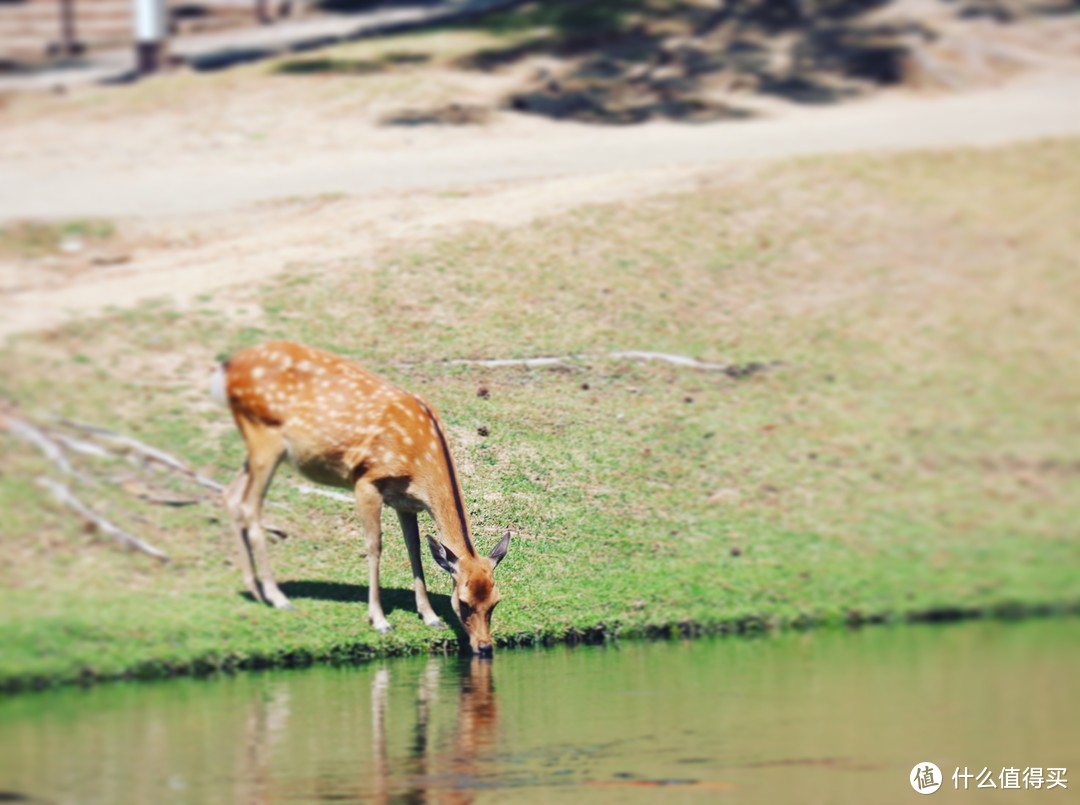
(475, 592)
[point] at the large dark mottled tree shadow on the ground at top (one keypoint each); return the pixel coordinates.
(634, 61)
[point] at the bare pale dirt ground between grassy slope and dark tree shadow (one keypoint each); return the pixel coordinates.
(199, 183)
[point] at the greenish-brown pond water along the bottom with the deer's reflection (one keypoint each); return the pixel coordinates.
(820, 717)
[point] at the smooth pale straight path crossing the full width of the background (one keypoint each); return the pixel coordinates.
(1032, 109)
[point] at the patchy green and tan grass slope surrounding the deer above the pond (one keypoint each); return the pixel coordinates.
(914, 451)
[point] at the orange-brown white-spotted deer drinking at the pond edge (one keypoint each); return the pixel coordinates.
(343, 426)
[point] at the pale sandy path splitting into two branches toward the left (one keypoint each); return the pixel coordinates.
(507, 179)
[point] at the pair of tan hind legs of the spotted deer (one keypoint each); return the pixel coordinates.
(266, 448)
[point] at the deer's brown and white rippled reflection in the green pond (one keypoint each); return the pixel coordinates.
(434, 736)
